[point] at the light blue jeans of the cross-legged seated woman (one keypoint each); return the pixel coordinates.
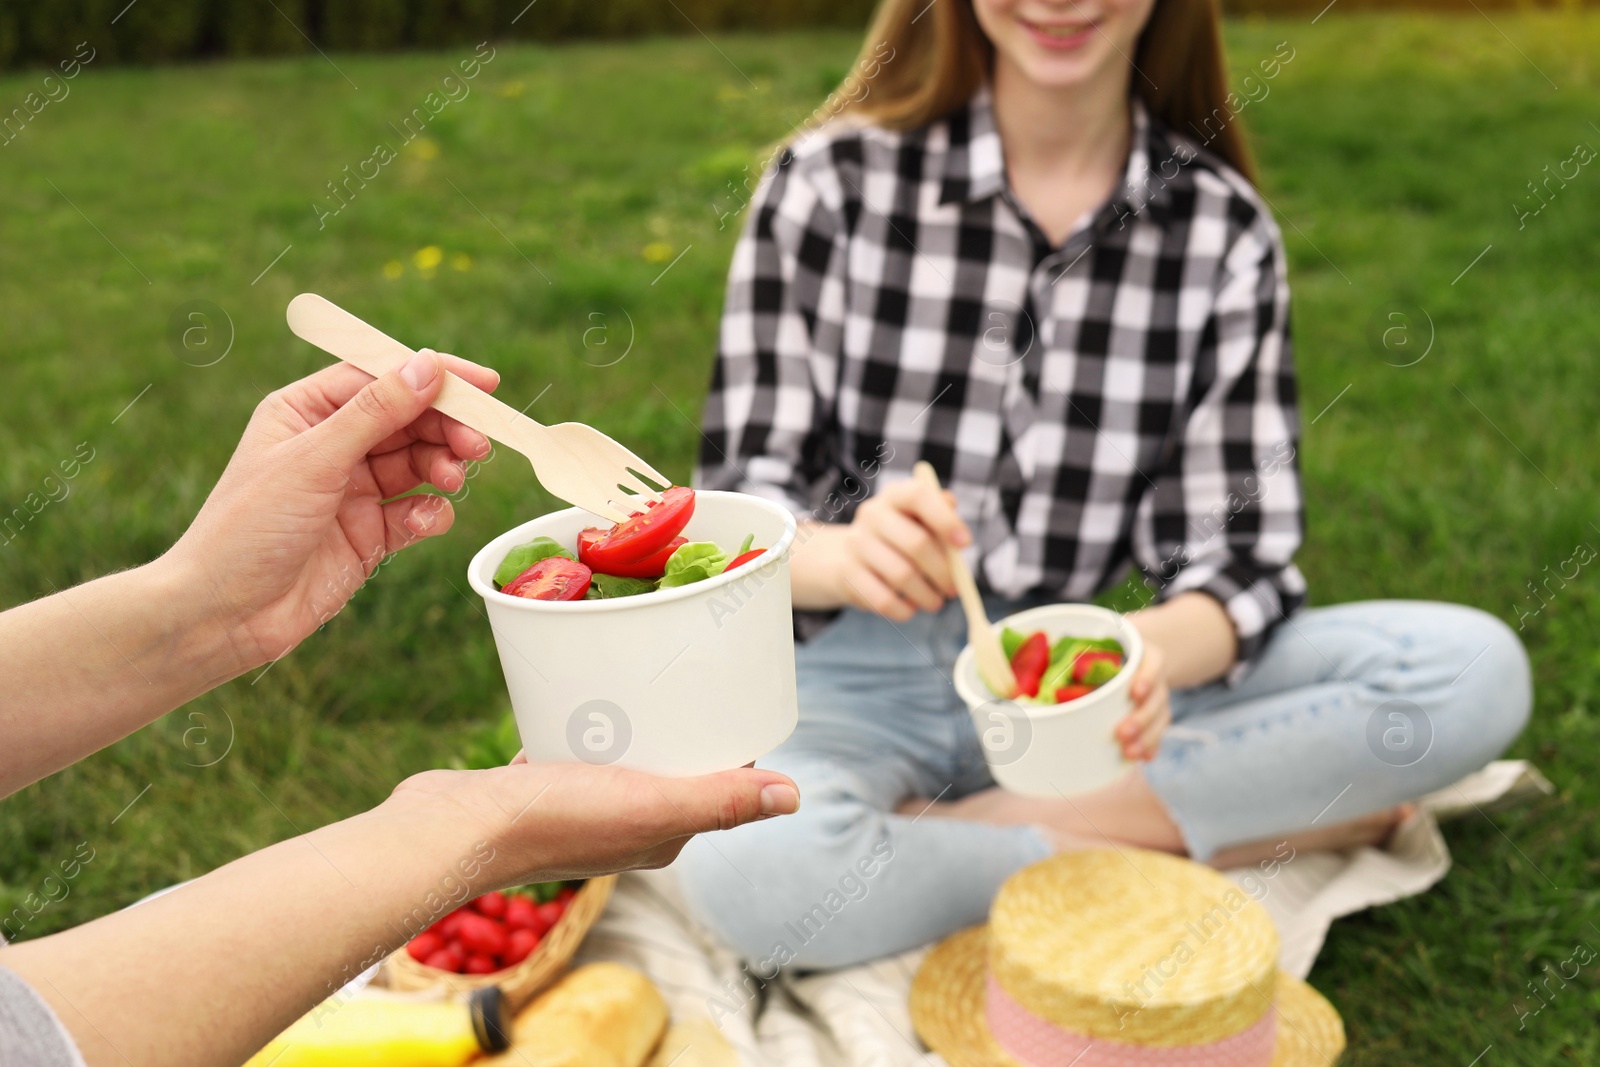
(1348, 711)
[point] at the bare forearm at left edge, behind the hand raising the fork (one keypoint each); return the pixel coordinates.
(87, 666)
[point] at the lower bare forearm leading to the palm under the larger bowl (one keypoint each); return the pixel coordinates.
(257, 943)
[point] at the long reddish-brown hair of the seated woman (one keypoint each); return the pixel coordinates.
(922, 62)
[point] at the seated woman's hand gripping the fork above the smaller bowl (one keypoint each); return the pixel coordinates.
(892, 559)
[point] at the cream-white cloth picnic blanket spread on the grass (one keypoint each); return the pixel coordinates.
(858, 1017)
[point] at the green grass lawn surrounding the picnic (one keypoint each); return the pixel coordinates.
(567, 185)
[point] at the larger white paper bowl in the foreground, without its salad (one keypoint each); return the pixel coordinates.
(679, 682)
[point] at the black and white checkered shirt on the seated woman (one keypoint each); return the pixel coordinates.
(1127, 398)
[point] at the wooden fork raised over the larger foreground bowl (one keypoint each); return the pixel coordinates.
(574, 462)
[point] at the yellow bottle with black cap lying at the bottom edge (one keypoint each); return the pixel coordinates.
(375, 1033)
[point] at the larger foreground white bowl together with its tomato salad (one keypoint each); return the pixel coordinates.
(663, 644)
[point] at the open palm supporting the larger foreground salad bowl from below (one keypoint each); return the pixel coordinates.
(553, 821)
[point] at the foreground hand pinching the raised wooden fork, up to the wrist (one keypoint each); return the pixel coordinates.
(300, 518)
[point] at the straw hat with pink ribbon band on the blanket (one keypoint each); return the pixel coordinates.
(1121, 959)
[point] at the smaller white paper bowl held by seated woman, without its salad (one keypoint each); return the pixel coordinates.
(1063, 749)
